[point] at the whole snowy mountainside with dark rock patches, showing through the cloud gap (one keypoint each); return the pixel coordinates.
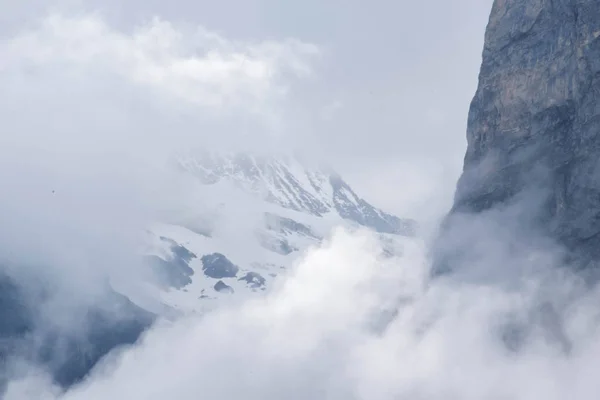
(255, 215)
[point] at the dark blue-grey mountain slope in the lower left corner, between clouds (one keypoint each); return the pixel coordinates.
(28, 334)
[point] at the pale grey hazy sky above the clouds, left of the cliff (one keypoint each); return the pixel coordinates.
(389, 89)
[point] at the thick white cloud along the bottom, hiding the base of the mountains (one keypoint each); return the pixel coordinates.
(347, 324)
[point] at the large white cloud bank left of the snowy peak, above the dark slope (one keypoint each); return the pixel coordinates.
(91, 116)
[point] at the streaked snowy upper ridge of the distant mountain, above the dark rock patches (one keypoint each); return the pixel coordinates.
(292, 184)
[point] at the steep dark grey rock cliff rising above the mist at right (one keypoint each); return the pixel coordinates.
(534, 123)
